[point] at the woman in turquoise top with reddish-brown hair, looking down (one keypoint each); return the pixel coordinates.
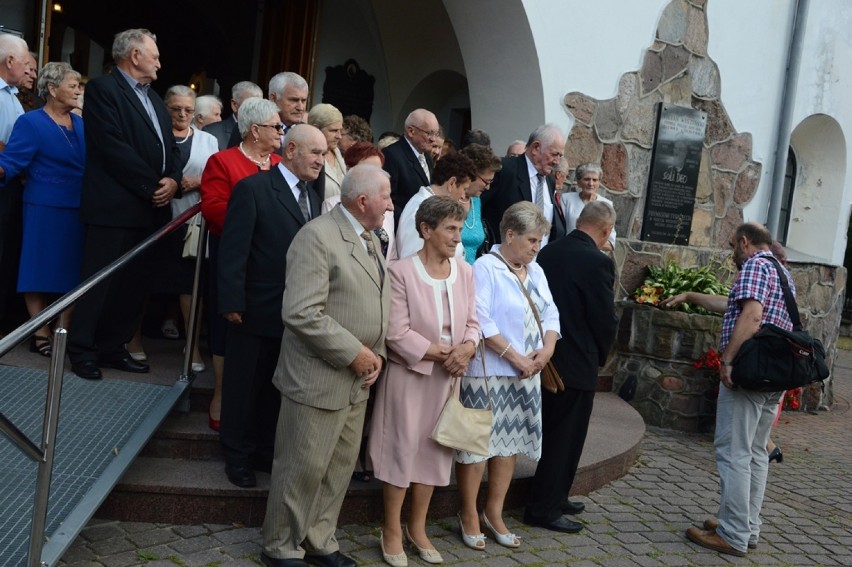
(486, 164)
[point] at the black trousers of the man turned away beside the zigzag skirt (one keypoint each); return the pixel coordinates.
(565, 423)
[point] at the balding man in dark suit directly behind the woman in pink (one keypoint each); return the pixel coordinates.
(408, 160)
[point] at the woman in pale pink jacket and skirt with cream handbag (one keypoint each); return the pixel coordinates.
(433, 334)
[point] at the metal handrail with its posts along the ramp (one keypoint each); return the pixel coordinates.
(43, 454)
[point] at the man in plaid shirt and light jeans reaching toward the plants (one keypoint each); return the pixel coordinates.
(744, 418)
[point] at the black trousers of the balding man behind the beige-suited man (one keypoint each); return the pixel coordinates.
(250, 402)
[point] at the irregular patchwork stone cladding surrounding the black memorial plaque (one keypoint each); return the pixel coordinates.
(619, 132)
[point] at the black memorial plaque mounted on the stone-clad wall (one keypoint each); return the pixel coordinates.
(670, 199)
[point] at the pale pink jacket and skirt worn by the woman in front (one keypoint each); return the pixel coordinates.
(410, 397)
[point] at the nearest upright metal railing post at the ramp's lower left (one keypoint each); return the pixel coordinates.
(48, 446)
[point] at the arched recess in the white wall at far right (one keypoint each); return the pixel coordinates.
(820, 148)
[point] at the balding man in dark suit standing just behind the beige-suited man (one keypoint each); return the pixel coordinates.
(264, 213)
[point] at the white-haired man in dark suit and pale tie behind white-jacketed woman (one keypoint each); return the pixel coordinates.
(527, 178)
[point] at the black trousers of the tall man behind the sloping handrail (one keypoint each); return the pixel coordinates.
(106, 318)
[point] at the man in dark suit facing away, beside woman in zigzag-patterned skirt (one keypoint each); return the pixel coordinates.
(581, 279)
